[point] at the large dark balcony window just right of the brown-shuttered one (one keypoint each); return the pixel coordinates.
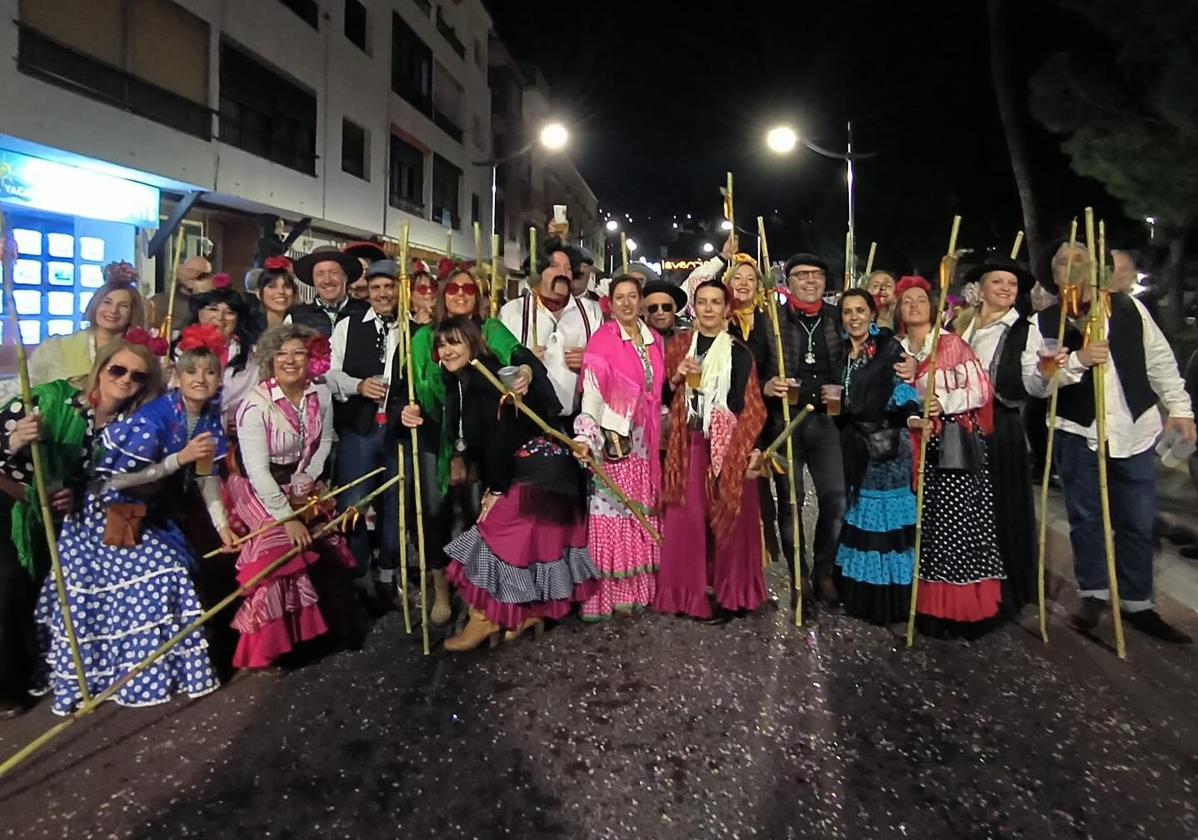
(265, 113)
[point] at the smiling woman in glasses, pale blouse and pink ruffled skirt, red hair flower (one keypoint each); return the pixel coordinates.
(286, 431)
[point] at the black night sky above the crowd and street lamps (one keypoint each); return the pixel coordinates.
(662, 104)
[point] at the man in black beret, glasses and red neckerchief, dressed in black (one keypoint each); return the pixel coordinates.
(814, 355)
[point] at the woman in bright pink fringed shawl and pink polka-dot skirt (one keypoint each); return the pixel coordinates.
(624, 372)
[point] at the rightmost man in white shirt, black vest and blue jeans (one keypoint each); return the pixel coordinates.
(1140, 373)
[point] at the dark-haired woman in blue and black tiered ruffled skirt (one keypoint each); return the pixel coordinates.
(876, 553)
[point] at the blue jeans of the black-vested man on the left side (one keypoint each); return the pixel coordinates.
(358, 456)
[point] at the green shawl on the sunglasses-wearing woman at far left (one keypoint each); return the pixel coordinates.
(63, 433)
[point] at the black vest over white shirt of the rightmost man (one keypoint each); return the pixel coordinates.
(1127, 334)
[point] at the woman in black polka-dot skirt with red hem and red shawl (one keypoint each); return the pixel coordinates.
(961, 570)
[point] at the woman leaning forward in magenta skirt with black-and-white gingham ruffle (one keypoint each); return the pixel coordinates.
(527, 559)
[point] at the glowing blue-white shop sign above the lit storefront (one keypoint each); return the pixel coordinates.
(59, 189)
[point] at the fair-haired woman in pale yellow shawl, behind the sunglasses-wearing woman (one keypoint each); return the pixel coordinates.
(114, 310)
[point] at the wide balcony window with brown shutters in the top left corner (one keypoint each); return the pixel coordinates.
(146, 57)
